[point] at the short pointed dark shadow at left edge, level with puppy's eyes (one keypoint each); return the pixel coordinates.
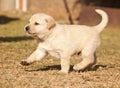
(5, 19)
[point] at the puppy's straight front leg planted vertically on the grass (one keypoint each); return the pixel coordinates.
(65, 64)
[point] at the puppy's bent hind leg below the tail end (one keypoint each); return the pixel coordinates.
(89, 58)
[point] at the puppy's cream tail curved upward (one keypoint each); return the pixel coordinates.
(104, 21)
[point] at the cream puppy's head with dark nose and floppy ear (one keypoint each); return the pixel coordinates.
(40, 25)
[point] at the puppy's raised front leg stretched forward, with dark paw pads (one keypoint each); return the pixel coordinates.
(37, 55)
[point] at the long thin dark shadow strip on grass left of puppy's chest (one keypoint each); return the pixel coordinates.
(14, 39)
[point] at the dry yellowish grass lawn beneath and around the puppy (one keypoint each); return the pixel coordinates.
(15, 46)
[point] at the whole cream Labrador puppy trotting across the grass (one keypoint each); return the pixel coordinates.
(63, 41)
